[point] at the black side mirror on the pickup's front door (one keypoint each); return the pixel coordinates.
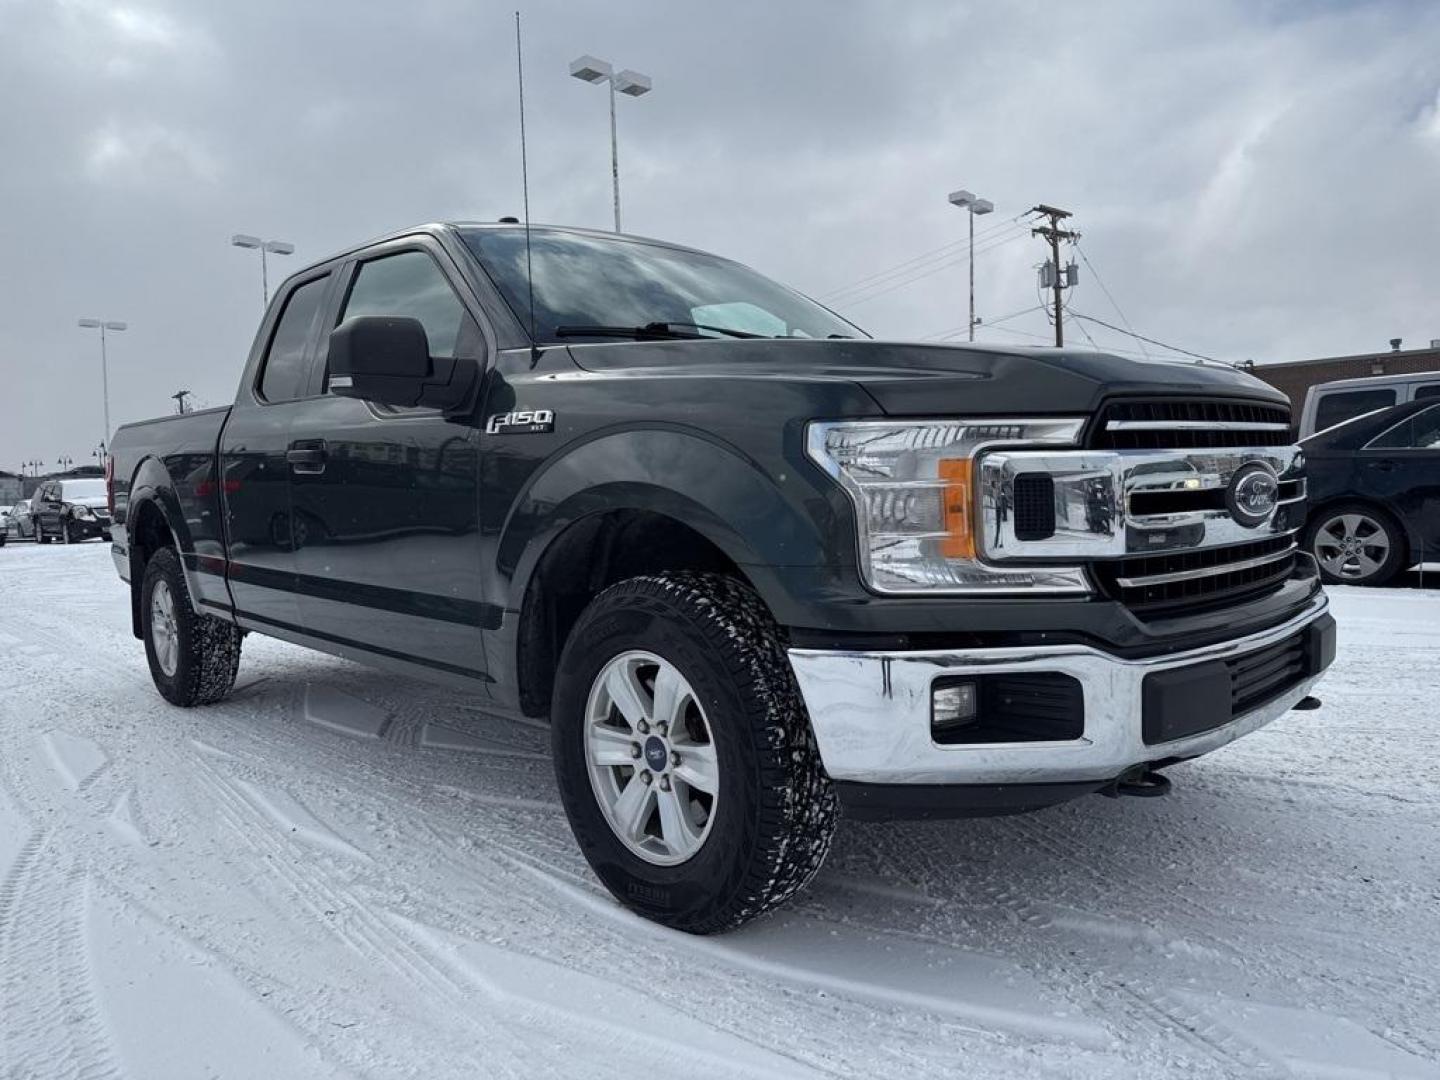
(387, 359)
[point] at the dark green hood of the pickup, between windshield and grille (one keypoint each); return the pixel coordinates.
(912, 379)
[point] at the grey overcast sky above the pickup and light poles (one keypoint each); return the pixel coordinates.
(1251, 179)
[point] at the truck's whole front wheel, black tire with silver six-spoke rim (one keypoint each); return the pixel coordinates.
(685, 755)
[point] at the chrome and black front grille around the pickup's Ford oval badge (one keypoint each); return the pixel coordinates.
(1151, 506)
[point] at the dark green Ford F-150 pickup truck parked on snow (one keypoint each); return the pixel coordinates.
(752, 565)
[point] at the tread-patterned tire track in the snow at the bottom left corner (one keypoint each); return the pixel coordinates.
(53, 1025)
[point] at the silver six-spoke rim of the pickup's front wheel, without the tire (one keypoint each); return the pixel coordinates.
(639, 796)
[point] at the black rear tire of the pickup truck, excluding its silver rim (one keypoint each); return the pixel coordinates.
(208, 649)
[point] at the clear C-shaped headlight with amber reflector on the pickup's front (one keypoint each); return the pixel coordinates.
(917, 506)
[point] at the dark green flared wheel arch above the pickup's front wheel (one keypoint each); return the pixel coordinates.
(767, 518)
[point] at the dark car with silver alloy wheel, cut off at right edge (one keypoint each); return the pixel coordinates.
(1374, 493)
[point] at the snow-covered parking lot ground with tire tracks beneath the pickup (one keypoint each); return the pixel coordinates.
(342, 873)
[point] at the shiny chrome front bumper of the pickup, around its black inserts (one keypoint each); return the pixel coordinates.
(872, 712)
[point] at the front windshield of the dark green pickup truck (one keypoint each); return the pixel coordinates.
(614, 283)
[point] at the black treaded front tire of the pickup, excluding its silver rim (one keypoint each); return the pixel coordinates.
(775, 813)
